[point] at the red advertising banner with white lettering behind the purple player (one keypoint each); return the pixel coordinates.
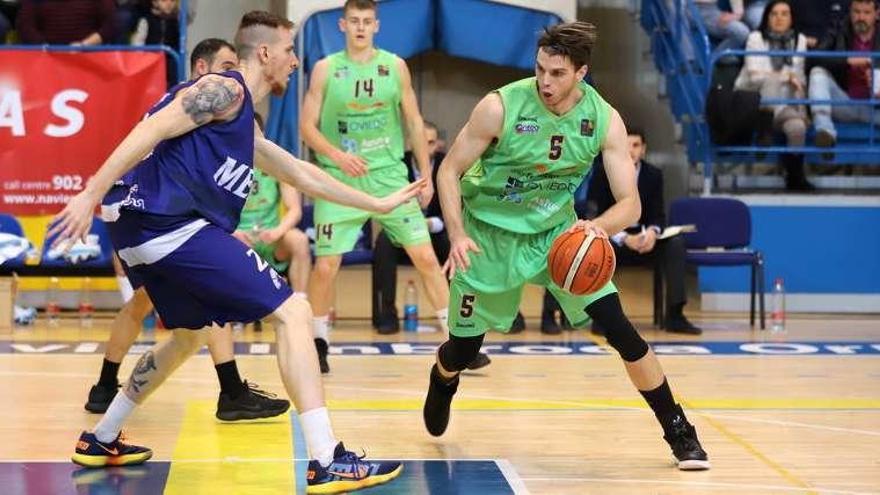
(61, 115)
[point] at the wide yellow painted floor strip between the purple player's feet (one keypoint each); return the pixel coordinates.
(202, 436)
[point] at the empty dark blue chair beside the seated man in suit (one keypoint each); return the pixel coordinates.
(723, 236)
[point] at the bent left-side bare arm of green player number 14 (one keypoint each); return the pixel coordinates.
(310, 117)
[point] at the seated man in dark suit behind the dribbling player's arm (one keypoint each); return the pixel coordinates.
(639, 243)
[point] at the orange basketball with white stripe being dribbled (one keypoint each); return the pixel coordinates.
(580, 262)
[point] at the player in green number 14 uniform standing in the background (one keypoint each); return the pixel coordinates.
(358, 103)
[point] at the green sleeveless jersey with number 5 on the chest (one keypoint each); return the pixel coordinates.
(525, 181)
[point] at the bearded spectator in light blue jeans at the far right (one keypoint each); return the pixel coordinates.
(844, 79)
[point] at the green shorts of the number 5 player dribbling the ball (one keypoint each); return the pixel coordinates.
(487, 296)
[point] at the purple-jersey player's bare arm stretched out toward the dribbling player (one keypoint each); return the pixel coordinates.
(313, 181)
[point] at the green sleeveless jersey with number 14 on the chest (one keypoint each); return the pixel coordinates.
(360, 113)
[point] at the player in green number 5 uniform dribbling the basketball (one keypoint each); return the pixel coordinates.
(507, 191)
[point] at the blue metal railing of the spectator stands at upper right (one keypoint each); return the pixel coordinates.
(683, 54)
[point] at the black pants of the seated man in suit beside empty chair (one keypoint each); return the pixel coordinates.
(668, 255)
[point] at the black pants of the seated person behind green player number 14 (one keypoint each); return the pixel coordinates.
(386, 257)
